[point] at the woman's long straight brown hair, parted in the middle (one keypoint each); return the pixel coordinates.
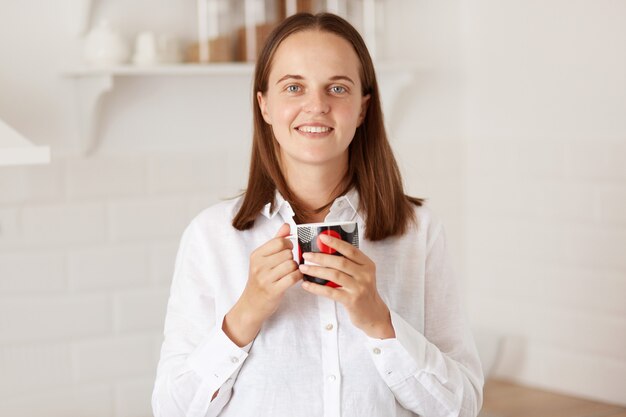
(372, 168)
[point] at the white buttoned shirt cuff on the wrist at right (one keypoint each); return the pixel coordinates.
(399, 358)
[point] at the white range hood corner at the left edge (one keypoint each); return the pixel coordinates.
(17, 150)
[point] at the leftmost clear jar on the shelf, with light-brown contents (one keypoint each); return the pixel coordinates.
(215, 33)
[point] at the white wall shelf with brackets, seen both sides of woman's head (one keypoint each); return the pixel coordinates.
(92, 84)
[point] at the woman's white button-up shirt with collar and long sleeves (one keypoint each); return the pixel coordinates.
(309, 360)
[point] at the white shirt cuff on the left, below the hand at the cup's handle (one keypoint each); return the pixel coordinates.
(217, 358)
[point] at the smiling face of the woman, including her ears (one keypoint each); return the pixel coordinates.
(314, 100)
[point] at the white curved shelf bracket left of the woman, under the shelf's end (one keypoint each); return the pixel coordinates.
(89, 93)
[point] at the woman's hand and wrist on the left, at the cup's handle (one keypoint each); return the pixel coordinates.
(272, 271)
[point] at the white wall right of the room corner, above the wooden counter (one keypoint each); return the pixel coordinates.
(546, 222)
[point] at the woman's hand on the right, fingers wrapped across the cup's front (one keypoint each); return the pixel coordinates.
(356, 275)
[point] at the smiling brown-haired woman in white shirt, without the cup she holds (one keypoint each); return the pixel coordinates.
(244, 335)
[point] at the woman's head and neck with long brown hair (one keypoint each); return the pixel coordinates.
(344, 89)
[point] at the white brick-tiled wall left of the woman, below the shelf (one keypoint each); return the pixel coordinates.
(87, 249)
